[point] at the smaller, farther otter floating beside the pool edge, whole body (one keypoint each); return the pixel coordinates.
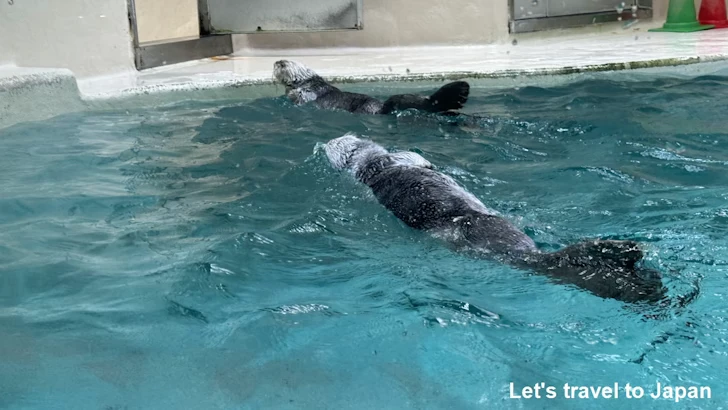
(303, 86)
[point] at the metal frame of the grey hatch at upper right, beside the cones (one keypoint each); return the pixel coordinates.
(644, 11)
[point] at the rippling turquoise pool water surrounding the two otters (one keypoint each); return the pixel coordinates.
(205, 256)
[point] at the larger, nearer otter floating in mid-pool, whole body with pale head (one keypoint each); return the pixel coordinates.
(408, 186)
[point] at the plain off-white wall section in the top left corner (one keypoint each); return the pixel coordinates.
(89, 37)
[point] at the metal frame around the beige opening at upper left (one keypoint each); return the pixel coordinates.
(160, 53)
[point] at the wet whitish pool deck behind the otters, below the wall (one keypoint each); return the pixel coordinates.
(613, 47)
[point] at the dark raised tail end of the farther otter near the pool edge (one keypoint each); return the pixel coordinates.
(451, 96)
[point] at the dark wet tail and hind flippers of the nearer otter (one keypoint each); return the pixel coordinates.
(607, 268)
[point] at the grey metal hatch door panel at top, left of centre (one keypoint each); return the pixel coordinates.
(251, 16)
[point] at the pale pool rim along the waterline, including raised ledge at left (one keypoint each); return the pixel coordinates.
(31, 94)
